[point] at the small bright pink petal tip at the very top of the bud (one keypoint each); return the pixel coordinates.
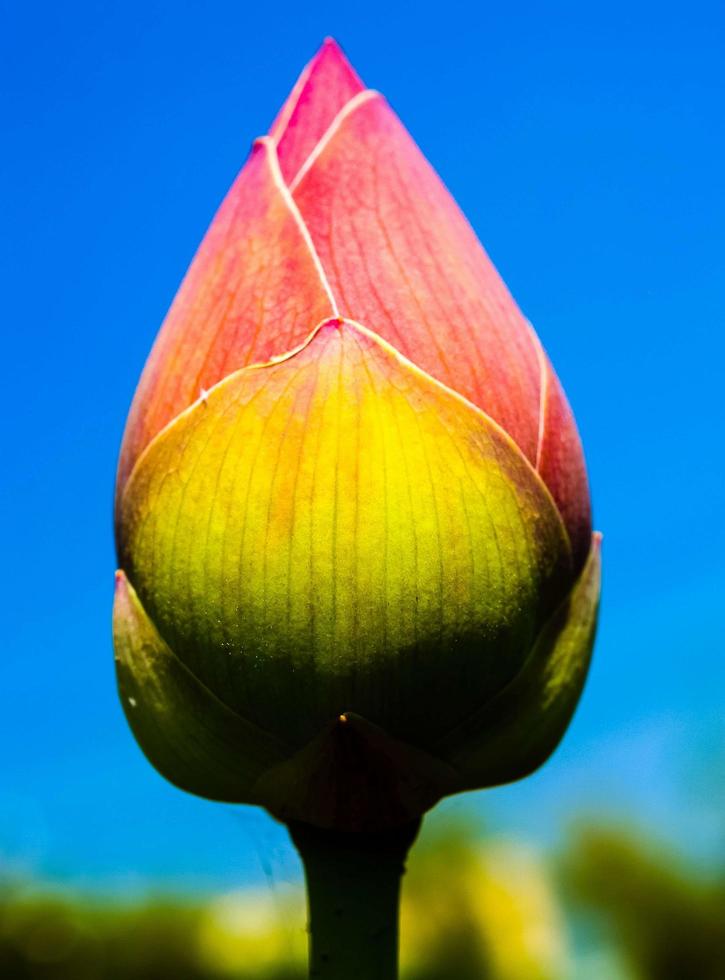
(323, 88)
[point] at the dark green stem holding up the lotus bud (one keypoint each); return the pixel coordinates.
(353, 898)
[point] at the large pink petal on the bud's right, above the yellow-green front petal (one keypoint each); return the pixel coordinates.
(400, 256)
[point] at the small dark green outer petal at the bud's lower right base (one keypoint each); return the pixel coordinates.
(515, 733)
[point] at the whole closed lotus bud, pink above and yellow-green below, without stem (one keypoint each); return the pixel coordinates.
(353, 519)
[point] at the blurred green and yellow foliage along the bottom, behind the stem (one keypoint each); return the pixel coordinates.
(473, 909)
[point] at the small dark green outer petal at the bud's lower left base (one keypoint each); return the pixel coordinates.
(187, 733)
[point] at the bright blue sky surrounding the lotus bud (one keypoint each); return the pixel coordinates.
(586, 144)
